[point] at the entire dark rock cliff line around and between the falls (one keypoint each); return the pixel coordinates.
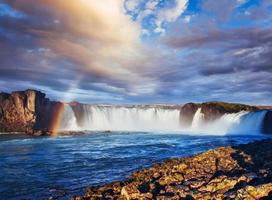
(31, 112)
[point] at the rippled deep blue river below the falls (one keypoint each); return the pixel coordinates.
(40, 167)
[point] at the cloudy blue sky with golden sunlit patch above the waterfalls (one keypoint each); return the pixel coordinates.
(138, 51)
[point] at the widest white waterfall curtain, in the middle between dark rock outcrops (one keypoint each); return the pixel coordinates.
(99, 118)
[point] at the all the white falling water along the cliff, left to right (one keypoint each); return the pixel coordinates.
(116, 118)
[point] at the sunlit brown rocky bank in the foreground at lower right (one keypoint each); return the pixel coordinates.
(242, 172)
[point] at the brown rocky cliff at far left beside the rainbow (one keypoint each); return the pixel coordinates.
(26, 111)
